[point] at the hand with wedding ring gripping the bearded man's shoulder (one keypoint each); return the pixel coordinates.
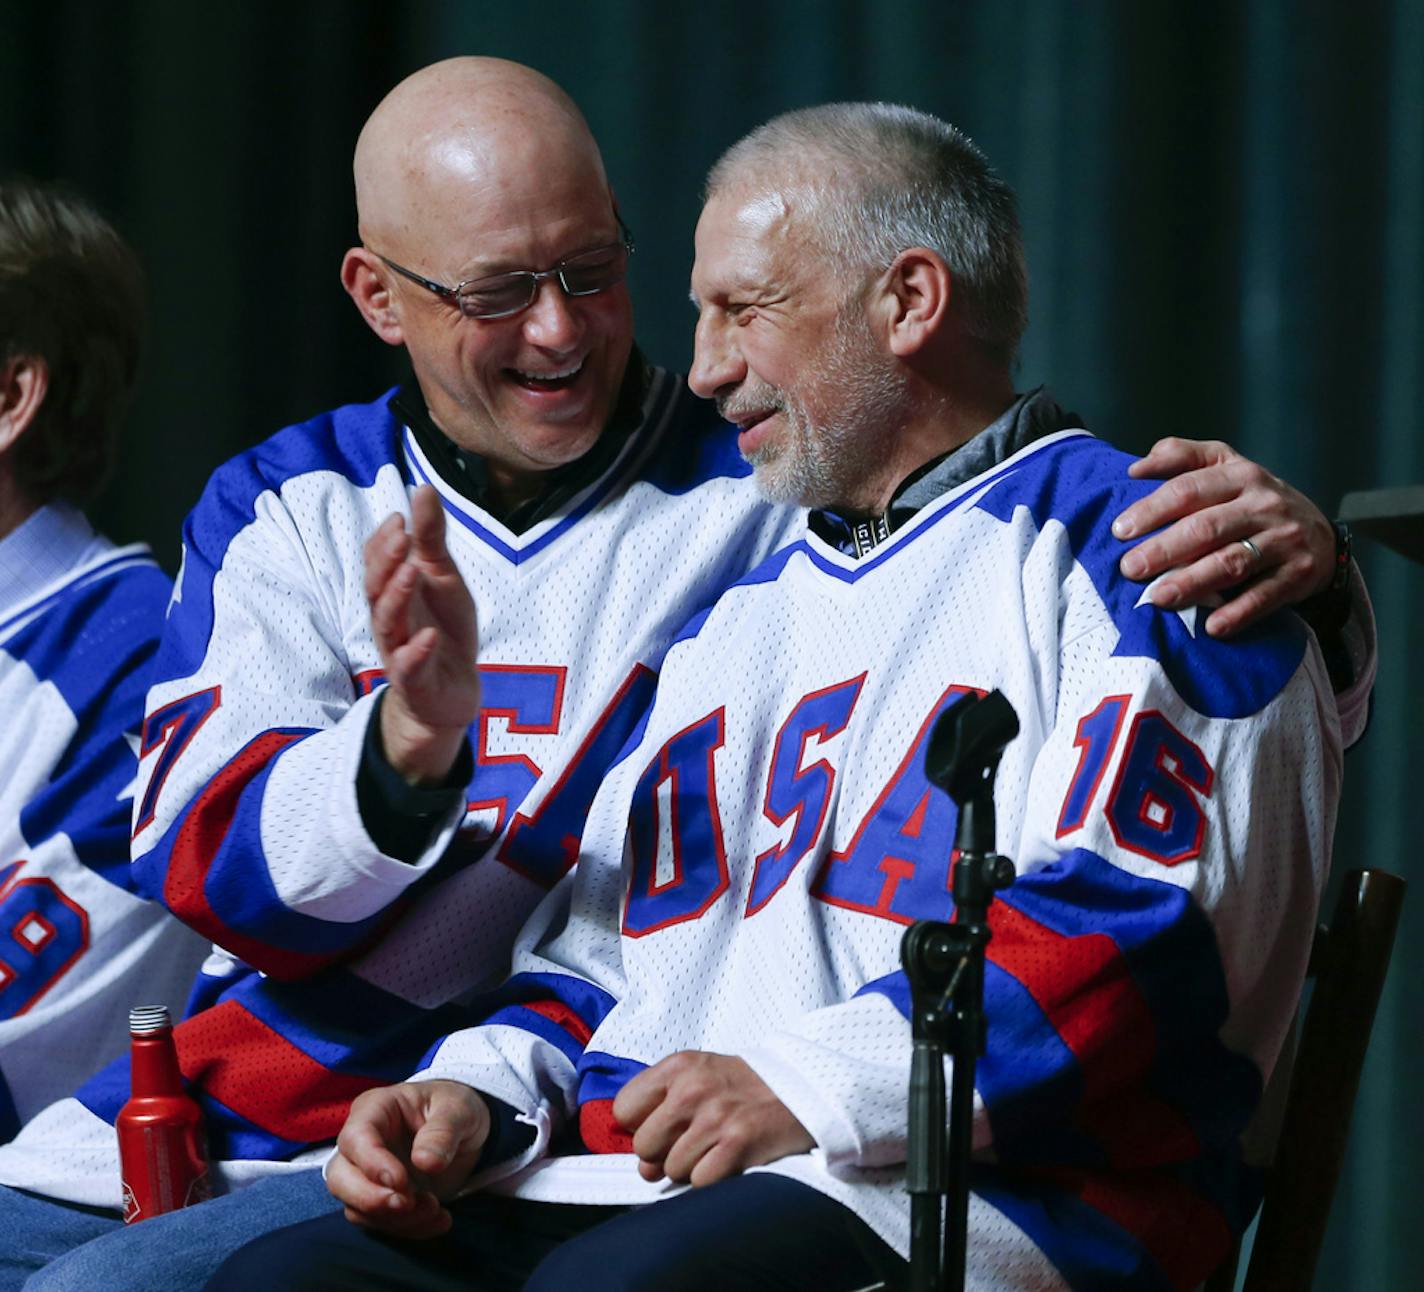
(1237, 531)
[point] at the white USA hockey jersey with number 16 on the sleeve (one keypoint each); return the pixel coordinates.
(751, 865)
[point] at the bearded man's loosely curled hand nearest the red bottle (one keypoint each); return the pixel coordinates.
(404, 1152)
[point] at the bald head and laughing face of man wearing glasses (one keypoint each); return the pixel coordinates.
(478, 169)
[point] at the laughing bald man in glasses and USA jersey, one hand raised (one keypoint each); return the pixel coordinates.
(333, 791)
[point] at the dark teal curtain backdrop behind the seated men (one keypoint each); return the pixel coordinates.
(1224, 207)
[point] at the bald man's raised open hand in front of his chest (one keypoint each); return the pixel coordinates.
(424, 622)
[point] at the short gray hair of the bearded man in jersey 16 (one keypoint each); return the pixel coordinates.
(886, 179)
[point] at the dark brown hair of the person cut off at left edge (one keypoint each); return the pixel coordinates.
(72, 294)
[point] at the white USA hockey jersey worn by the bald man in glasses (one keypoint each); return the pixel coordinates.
(345, 965)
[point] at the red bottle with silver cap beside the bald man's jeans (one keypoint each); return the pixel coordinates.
(162, 1152)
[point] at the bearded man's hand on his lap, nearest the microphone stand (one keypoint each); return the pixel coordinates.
(701, 1118)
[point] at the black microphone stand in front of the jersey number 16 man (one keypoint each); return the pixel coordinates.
(945, 965)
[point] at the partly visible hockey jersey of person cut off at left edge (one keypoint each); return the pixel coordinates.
(78, 945)
